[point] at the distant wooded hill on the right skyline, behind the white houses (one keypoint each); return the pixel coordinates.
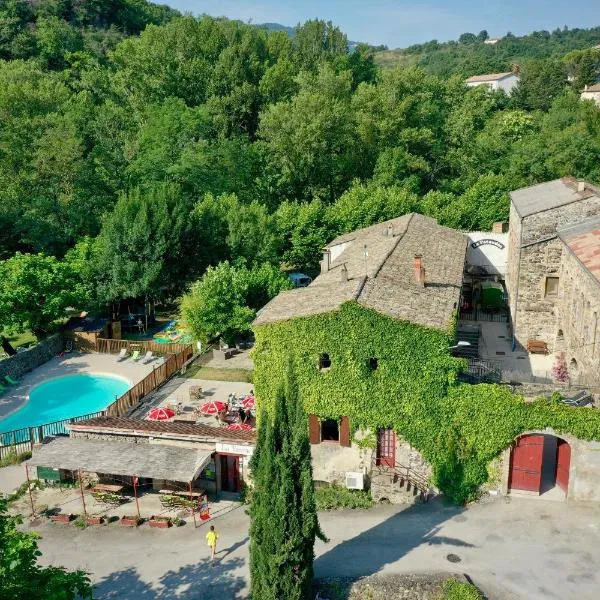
(470, 55)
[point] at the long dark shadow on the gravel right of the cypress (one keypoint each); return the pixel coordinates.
(370, 551)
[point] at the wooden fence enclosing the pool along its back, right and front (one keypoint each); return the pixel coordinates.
(178, 356)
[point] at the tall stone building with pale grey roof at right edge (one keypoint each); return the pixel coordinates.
(535, 256)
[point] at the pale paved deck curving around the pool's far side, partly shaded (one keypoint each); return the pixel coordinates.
(14, 398)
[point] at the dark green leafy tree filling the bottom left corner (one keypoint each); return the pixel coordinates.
(20, 574)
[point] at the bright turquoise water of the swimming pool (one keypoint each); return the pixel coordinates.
(66, 397)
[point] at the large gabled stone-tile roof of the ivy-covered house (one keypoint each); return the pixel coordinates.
(385, 281)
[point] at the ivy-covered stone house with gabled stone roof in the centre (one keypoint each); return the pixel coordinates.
(408, 270)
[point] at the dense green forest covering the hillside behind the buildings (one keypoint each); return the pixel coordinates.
(140, 147)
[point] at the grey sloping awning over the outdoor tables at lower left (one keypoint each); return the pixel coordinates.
(155, 461)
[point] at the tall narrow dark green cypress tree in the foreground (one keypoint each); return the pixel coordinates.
(283, 509)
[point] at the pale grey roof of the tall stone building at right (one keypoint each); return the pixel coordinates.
(551, 194)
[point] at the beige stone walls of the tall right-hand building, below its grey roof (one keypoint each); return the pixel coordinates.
(535, 253)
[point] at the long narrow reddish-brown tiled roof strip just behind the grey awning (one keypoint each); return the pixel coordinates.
(193, 431)
